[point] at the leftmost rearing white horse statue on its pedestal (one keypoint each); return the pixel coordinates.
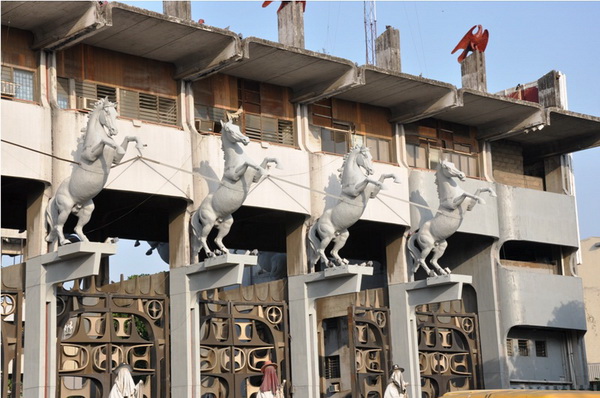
(99, 152)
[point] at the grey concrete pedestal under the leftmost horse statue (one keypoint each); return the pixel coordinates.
(73, 261)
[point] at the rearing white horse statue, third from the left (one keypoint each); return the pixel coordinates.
(334, 223)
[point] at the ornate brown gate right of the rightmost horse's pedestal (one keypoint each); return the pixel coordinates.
(449, 356)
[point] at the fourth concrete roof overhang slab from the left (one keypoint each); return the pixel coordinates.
(408, 97)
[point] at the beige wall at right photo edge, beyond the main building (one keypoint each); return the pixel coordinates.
(588, 271)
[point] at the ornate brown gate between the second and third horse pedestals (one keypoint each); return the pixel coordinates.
(237, 337)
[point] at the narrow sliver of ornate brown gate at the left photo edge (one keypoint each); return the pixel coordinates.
(11, 308)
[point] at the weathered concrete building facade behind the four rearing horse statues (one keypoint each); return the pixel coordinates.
(335, 332)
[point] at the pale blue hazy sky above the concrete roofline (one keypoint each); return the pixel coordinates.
(527, 40)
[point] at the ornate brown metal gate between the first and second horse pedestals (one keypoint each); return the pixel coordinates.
(101, 327)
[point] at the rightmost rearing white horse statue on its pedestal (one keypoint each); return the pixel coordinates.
(433, 233)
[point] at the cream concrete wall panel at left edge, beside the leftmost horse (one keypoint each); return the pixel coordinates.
(32, 132)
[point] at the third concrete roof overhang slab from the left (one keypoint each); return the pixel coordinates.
(312, 76)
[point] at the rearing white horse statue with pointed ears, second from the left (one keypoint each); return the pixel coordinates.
(239, 174)
